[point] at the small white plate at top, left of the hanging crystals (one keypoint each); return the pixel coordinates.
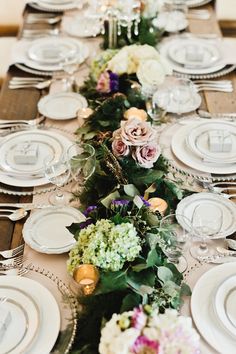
(83, 27)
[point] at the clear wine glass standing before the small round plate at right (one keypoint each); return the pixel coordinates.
(207, 222)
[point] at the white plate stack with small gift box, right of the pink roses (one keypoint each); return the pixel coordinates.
(202, 148)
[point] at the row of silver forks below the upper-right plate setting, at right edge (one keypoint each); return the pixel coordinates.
(210, 85)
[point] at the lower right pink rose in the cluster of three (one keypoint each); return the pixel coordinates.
(146, 155)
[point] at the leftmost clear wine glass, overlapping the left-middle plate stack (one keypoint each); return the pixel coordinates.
(57, 172)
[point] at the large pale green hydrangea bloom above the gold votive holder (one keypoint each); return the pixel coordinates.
(105, 245)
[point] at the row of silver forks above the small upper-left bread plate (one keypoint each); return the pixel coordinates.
(29, 82)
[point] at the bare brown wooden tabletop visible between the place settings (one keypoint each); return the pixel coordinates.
(22, 104)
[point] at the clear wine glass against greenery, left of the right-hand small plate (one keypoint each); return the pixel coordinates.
(175, 239)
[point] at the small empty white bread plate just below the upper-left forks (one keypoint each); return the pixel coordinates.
(61, 105)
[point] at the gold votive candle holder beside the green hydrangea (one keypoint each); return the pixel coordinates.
(87, 277)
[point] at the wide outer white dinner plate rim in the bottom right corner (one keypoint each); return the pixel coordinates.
(202, 309)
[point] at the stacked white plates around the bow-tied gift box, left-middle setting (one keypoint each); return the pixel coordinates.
(48, 143)
